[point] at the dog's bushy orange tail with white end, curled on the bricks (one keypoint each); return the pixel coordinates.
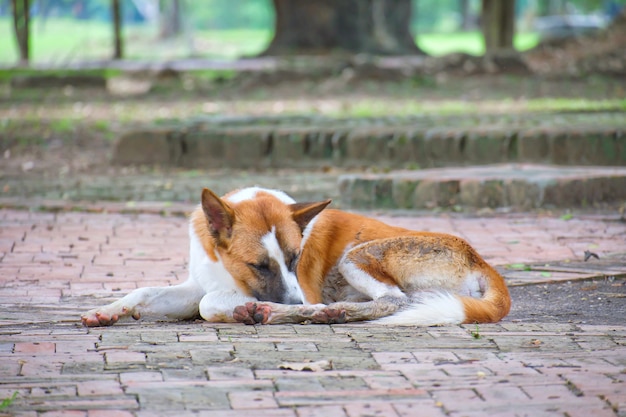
(439, 308)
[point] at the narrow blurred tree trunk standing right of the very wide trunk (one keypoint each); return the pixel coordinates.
(498, 25)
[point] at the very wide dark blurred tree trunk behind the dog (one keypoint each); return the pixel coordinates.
(353, 26)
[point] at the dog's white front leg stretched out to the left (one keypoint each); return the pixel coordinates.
(175, 302)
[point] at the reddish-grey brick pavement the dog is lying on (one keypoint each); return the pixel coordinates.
(53, 266)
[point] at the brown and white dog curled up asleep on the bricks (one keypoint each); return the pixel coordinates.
(257, 256)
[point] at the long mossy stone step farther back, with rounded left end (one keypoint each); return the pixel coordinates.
(393, 142)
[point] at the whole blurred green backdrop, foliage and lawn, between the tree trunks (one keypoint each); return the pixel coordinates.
(65, 31)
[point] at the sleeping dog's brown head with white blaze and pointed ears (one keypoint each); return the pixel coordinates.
(258, 239)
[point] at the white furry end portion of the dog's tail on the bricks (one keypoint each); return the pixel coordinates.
(432, 309)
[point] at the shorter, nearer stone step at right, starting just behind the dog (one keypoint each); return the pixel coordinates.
(519, 186)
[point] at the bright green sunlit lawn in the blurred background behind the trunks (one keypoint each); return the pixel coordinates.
(62, 41)
